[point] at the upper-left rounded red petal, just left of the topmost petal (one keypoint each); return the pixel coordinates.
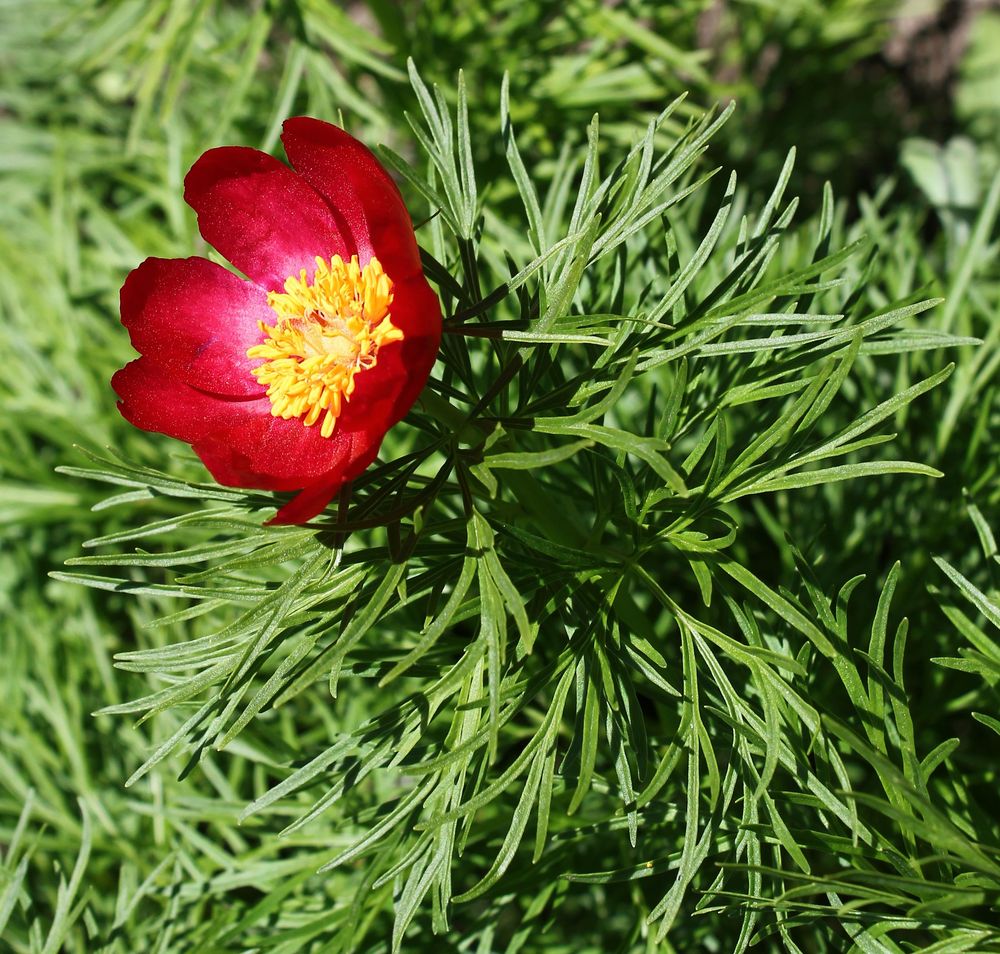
(268, 221)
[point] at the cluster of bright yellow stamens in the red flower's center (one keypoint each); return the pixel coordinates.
(328, 330)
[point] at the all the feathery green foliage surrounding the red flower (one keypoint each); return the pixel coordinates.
(574, 666)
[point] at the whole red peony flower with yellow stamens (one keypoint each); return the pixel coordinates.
(290, 380)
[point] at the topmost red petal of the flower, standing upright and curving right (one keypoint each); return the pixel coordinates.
(358, 187)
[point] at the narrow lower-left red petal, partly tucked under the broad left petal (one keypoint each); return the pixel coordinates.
(156, 400)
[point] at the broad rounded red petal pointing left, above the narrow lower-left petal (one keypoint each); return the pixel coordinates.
(196, 320)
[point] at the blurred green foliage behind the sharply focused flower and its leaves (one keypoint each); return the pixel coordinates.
(104, 107)
